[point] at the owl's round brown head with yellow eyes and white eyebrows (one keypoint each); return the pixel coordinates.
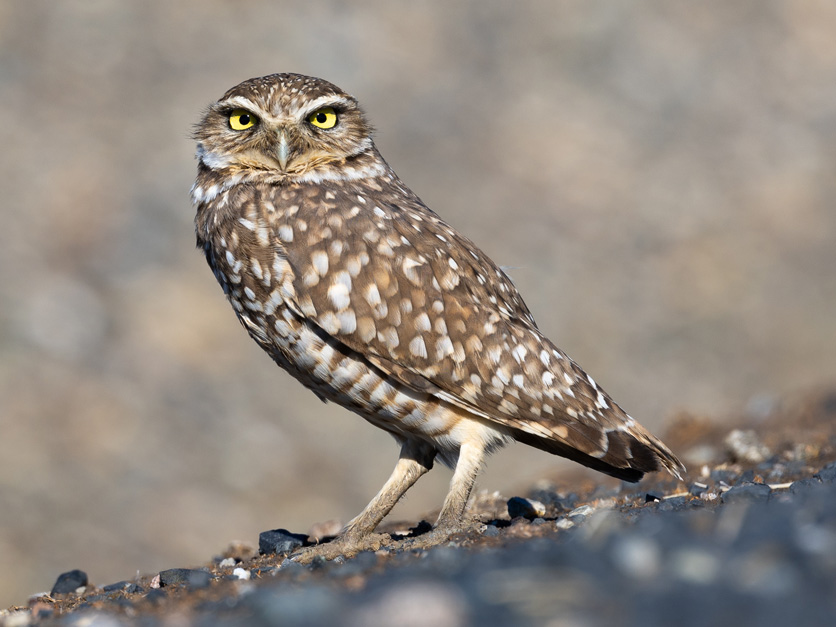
(289, 127)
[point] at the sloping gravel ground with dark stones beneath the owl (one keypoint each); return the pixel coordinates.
(749, 538)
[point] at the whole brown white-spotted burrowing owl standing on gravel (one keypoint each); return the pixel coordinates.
(367, 297)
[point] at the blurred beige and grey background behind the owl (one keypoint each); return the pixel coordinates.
(660, 178)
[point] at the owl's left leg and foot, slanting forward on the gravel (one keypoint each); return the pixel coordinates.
(415, 460)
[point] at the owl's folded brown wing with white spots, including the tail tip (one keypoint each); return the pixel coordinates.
(424, 304)
